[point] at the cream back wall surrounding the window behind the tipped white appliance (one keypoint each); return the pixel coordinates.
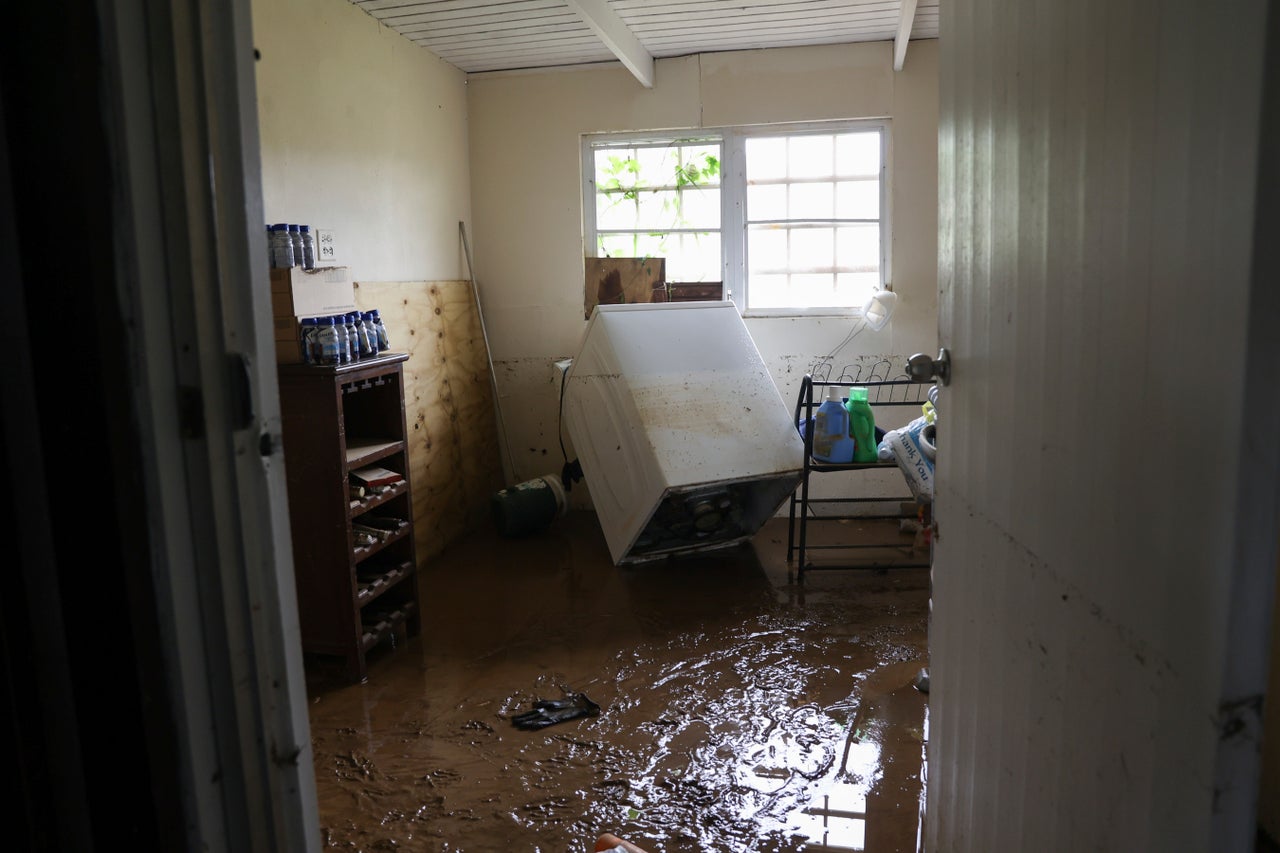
(528, 208)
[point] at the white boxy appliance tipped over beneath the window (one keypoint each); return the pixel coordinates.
(684, 440)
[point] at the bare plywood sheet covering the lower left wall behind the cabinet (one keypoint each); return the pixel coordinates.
(455, 458)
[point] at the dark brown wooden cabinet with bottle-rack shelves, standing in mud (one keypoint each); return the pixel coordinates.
(356, 590)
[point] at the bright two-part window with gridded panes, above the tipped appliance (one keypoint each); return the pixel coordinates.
(793, 221)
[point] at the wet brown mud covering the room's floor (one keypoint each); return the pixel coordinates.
(740, 711)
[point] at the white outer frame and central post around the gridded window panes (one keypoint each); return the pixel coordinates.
(734, 198)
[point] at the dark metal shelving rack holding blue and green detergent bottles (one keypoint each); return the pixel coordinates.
(806, 509)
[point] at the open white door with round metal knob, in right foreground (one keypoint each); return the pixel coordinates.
(1107, 498)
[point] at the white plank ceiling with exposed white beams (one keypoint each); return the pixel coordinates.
(499, 35)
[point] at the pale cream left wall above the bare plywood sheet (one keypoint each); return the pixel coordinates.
(364, 133)
